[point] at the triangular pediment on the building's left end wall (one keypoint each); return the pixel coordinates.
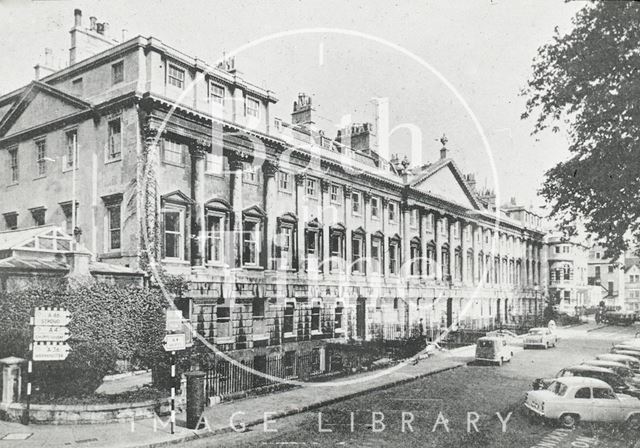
(40, 104)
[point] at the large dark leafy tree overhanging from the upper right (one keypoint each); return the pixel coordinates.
(589, 79)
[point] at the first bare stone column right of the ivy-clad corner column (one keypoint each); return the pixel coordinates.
(198, 151)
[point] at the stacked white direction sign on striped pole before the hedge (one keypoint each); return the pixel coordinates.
(48, 333)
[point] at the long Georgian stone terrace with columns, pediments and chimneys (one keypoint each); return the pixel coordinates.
(288, 238)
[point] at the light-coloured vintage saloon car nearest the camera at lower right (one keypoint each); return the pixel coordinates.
(573, 399)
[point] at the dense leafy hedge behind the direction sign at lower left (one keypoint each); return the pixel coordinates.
(108, 323)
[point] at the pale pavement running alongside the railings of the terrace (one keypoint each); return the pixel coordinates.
(216, 419)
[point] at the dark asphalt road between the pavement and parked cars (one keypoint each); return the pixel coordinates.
(444, 410)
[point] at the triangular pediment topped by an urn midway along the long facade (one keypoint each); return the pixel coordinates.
(445, 182)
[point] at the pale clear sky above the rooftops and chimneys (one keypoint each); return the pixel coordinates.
(428, 57)
